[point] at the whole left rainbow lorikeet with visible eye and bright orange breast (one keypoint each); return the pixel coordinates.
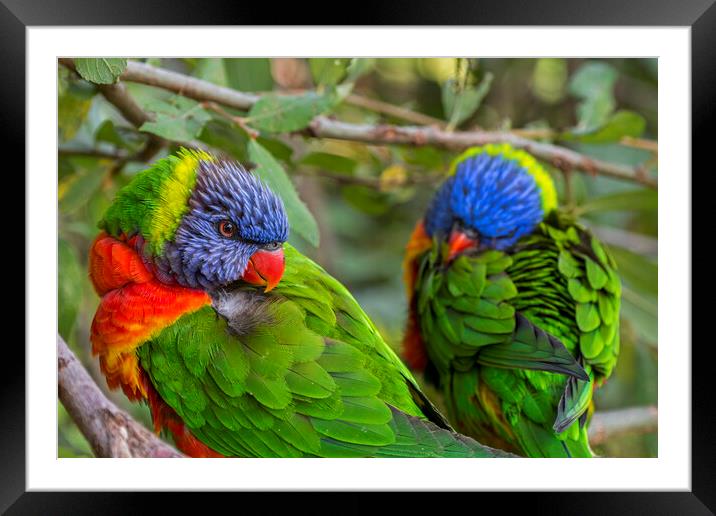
(240, 345)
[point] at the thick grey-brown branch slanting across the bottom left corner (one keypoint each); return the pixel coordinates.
(110, 431)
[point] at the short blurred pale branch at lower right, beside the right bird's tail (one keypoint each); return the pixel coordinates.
(607, 424)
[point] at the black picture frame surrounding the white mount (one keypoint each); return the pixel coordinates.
(700, 15)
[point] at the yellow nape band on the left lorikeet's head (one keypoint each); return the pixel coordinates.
(174, 194)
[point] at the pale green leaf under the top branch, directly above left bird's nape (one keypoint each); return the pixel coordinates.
(179, 119)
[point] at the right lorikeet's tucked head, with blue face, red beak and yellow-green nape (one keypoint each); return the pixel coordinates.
(495, 196)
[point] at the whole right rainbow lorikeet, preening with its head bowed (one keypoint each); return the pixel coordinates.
(514, 306)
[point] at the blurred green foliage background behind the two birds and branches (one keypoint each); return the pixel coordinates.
(363, 200)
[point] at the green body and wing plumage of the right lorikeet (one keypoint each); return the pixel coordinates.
(519, 339)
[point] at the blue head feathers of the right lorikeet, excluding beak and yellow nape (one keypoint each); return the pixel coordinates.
(491, 195)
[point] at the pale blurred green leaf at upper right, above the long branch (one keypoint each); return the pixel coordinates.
(593, 82)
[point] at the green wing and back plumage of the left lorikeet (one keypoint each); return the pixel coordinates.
(298, 372)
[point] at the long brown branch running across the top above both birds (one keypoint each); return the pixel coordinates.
(324, 127)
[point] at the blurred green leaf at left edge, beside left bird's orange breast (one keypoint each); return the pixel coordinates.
(69, 288)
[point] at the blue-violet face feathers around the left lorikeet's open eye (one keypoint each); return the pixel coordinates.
(199, 256)
